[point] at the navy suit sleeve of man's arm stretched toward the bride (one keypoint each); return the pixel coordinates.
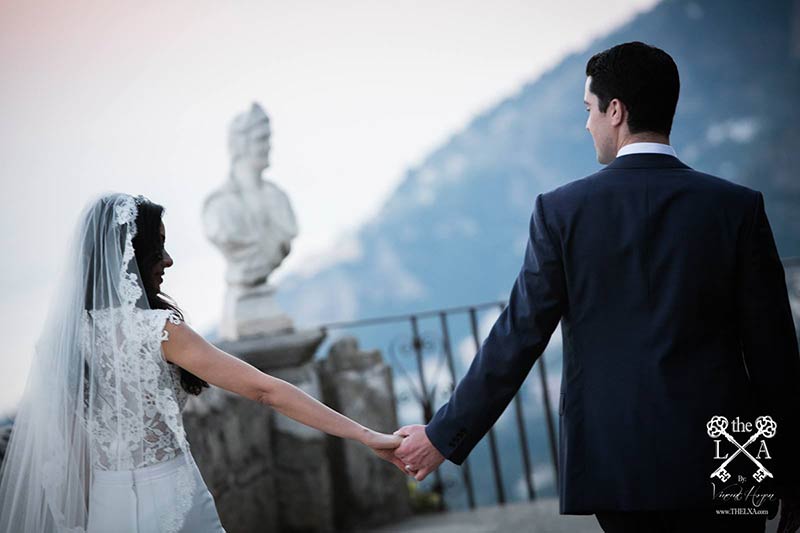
(516, 340)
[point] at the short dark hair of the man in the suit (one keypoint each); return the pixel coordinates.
(642, 77)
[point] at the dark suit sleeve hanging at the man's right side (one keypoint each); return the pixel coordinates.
(769, 341)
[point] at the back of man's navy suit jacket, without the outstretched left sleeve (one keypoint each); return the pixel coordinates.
(658, 277)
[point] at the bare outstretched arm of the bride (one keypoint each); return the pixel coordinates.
(189, 350)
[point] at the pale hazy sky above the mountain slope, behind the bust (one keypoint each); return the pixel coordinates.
(136, 97)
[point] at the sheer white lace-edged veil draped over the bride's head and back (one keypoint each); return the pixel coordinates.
(100, 396)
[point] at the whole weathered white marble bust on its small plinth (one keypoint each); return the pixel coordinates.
(251, 221)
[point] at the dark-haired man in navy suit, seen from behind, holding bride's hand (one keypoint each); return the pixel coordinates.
(673, 308)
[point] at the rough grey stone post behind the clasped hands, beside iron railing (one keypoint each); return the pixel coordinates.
(367, 490)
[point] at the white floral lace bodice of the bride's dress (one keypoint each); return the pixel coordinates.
(134, 420)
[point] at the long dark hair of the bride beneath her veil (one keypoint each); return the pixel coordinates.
(149, 251)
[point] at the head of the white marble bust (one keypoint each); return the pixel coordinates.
(248, 137)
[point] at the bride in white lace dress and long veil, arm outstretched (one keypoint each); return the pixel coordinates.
(98, 443)
